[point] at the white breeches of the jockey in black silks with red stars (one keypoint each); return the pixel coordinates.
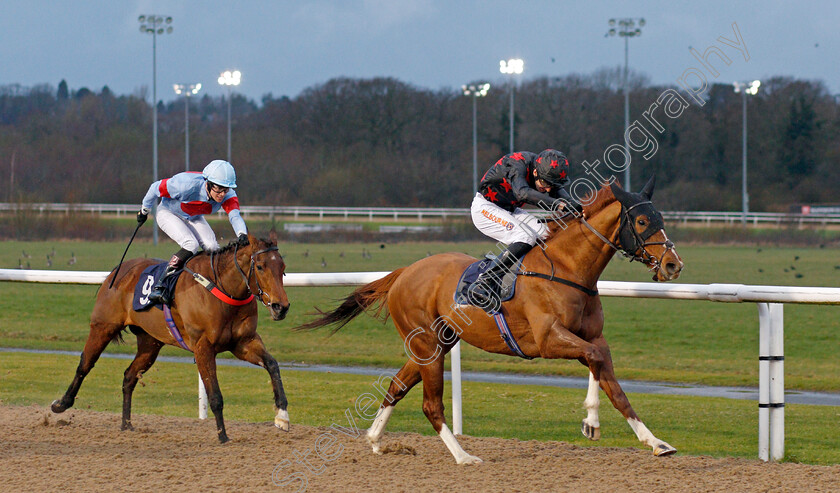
(505, 226)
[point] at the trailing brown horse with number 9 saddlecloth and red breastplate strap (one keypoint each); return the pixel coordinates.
(207, 325)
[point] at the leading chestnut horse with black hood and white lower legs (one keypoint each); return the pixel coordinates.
(562, 319)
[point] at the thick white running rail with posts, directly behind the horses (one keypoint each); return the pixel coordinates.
(770, 301)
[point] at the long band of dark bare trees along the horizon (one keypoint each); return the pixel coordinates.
(382, 142)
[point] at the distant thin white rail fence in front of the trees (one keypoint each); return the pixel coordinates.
(321, 213)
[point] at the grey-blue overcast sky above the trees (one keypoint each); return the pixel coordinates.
(282, 47)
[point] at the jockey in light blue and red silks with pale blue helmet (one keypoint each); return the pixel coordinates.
(184, 200)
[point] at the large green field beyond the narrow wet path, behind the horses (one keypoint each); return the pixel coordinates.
(668, 340)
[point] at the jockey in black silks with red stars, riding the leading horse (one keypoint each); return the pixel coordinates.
(515, 180)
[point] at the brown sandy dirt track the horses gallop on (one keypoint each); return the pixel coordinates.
(85, 451)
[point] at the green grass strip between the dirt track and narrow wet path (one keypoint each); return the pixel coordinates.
(695, 426)
